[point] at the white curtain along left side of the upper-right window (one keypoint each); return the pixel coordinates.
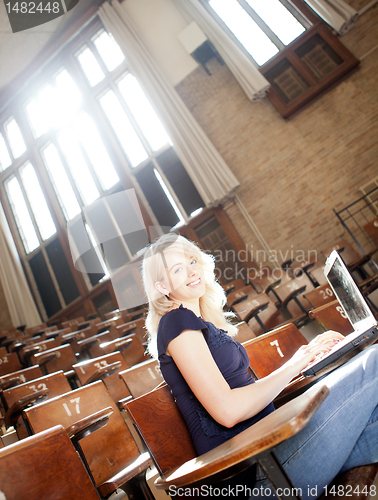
(246, 73)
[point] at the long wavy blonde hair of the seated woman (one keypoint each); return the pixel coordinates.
(153, 270)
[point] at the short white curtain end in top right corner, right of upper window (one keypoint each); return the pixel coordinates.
(338, 14)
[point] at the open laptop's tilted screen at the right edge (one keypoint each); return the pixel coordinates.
(348, 293)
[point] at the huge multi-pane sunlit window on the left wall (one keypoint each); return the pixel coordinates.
(81, 131)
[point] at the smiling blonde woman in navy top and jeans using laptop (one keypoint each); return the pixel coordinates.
(207, 371)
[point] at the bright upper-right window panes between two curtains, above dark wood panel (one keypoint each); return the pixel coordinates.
(263, 27)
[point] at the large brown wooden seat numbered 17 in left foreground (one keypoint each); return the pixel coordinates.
(110, 450)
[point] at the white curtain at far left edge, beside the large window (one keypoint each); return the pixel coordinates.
(19, 300)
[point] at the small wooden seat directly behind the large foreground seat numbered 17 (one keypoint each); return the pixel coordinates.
(91, 369)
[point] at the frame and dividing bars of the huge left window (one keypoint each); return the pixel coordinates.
(66, 58)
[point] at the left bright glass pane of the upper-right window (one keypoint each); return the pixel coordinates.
(245, 29)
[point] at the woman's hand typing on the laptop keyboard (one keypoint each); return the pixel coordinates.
(307, 353)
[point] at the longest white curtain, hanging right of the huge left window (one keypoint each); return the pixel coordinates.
(210, 174)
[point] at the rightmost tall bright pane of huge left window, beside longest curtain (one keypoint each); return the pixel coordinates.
(143, 112)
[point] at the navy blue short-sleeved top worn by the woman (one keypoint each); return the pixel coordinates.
(231, 359)
